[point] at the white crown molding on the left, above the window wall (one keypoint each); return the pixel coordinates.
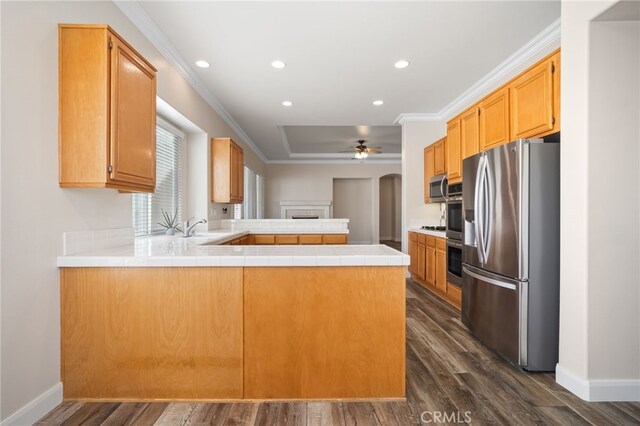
(148, 27)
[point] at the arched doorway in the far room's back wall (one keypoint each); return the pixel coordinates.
(390, 214)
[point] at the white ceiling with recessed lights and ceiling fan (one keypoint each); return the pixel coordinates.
(340, 58)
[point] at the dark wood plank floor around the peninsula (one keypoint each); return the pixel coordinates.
(448, 373)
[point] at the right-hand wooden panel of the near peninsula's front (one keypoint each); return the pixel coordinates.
(311, 333)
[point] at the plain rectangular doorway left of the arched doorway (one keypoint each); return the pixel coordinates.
(353, 200)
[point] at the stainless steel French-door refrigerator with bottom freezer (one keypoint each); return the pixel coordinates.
(511, 253)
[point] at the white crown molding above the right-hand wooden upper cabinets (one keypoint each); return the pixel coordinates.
(547, 38)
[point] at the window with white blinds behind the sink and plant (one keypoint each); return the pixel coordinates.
(147, 208)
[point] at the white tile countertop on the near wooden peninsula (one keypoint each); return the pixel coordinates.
(203, 250)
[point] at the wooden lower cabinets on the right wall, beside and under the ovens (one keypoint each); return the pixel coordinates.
(434, 260)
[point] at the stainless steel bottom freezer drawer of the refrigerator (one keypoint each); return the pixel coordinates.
(494, 308)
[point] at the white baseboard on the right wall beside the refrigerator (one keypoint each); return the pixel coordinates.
(598, 390)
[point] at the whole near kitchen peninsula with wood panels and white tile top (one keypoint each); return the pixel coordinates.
(172, 318)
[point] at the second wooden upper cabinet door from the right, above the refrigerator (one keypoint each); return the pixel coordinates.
(494, 119)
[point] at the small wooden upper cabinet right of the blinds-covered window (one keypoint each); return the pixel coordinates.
(227, 171)
